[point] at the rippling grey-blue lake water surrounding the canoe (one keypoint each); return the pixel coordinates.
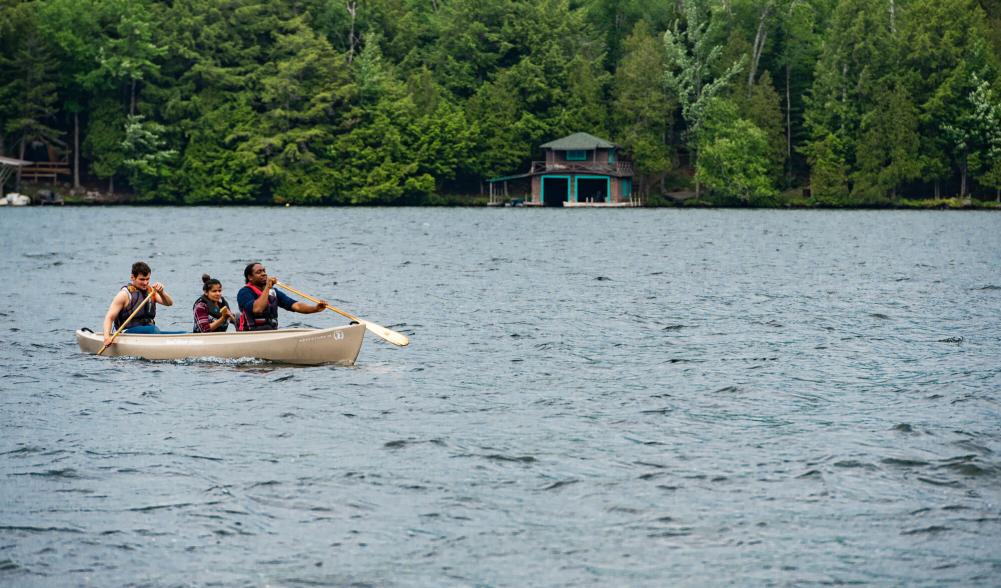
(603, 398)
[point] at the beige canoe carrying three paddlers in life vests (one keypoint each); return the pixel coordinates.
(339, 345)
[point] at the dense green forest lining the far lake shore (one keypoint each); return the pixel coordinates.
(820, 103)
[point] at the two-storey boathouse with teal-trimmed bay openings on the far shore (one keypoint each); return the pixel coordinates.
(579, 171)
